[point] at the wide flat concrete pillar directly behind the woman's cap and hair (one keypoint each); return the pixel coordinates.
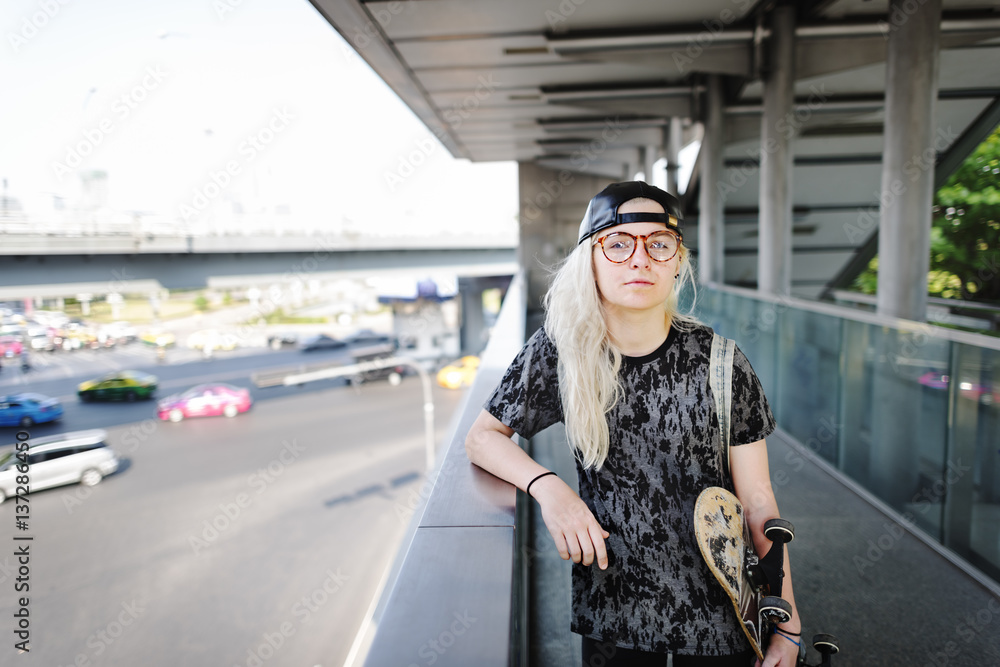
(552, 204)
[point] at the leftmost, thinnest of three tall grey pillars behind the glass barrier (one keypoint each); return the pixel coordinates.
(711, 242)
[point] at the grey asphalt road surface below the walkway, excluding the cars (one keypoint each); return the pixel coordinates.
(257, 540)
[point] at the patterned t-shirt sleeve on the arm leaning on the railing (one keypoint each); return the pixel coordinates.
(527, 398)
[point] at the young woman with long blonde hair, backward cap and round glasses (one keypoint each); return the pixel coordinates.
(628, 376)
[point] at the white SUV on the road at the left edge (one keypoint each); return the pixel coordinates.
(83, 457)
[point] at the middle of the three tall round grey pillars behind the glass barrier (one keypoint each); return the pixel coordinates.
(774, 254)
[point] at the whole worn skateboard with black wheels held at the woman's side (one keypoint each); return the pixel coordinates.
(753, 584)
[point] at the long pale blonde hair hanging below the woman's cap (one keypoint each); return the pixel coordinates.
(589, 362)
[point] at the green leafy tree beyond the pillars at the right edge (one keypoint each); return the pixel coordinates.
(965, 232)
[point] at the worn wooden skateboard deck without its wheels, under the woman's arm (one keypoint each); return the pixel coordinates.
(723, 537)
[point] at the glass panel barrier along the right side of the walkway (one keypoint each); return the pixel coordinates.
(910, 412)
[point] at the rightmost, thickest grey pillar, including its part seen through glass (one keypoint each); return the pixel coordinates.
(904, 241)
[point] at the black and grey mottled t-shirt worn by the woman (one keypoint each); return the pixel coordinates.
(657, 593)
